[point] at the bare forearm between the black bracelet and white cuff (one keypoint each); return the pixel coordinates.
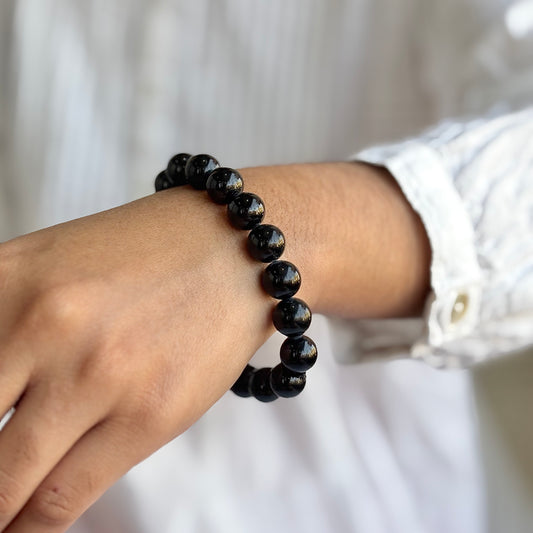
(361, 249)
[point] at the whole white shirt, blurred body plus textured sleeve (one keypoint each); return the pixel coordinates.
(96, 95)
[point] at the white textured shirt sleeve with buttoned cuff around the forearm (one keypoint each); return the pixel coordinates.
(471, 182)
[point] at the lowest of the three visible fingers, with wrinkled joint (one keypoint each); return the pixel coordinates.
(96, 462)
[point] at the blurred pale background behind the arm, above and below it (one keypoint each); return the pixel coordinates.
(96, 95)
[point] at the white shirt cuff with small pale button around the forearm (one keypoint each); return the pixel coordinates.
(452, 307)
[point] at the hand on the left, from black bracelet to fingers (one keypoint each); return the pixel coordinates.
(117, 331)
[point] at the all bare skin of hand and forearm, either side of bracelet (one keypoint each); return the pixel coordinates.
(103, 322)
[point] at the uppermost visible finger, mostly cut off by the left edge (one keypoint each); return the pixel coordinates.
(15, 372)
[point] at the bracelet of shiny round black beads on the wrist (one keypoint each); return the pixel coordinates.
(280, 279)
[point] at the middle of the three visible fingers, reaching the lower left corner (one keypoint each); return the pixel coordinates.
(46, 424)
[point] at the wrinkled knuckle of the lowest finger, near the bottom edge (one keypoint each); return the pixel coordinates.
(54, 506)
